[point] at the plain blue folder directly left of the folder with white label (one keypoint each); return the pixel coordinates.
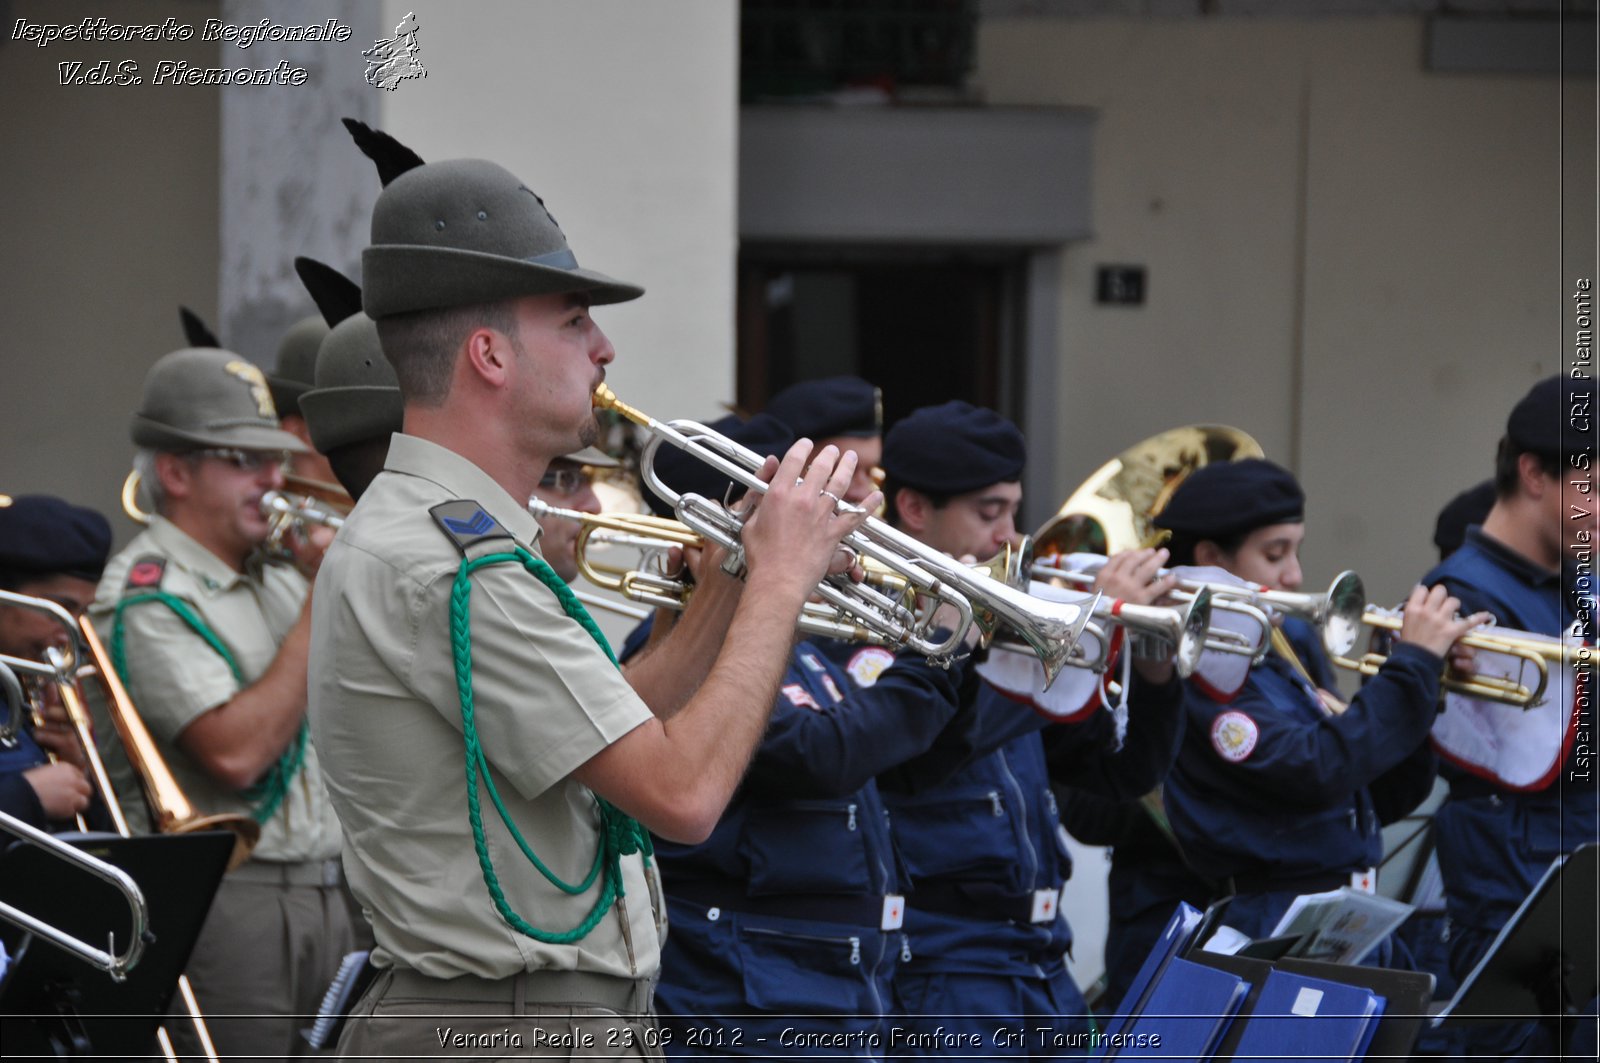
(1186, 1016)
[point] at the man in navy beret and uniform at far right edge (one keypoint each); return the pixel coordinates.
(1530, 566)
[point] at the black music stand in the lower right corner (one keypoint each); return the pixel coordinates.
(1545, 965)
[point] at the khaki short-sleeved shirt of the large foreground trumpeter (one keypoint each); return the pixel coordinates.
(386, 716)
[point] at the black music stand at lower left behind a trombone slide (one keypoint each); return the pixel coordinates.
(54, 1003)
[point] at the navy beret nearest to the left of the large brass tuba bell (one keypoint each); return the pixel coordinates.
(954, 449)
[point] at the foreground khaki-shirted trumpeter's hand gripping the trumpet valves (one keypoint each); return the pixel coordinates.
(798, 524)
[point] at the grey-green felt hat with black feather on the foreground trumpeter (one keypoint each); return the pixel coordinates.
(460, 233)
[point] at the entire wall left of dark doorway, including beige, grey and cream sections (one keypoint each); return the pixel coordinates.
(622, 114)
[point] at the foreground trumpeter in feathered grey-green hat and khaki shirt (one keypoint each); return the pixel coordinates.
(446, 640)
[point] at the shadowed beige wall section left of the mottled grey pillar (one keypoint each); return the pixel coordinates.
(111, 223)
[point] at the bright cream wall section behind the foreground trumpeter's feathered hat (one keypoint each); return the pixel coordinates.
(625, 118)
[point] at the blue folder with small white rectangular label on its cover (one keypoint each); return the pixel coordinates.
(1310, 1019)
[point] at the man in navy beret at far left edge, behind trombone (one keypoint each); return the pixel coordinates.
(55, 552)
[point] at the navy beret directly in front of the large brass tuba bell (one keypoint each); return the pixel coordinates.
(1234, 497)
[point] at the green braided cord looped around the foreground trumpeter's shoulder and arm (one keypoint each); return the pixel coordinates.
(620, 835)
